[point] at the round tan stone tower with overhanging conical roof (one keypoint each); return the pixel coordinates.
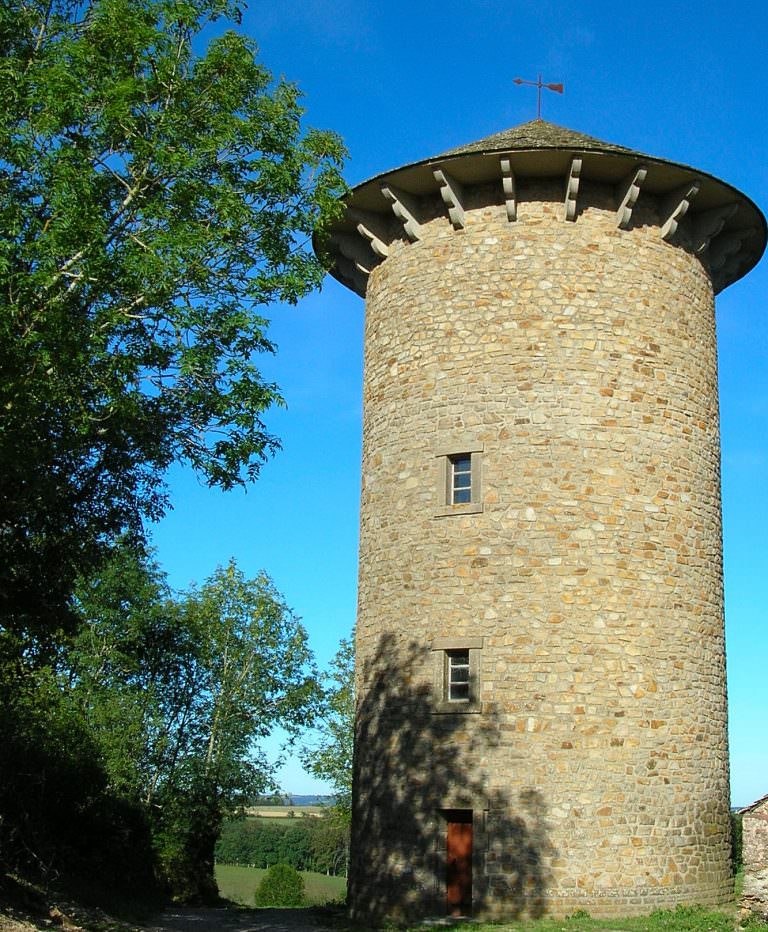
(541, 720)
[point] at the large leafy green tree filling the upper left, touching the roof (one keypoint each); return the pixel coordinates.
(152, 202)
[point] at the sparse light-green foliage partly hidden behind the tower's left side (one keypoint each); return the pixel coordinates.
(330, 756)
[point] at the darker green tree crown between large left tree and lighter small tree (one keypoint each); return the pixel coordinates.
(129, 668)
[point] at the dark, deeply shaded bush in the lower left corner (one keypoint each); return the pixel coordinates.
(59, 819)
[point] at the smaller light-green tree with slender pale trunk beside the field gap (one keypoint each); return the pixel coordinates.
(253, 673)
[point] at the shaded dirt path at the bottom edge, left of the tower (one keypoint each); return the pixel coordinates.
(223, 919)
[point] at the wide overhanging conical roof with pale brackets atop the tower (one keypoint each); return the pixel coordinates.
(729, 229)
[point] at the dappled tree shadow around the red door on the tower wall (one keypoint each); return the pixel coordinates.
(413, 767)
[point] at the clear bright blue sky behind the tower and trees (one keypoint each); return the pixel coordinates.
(401, 81)
